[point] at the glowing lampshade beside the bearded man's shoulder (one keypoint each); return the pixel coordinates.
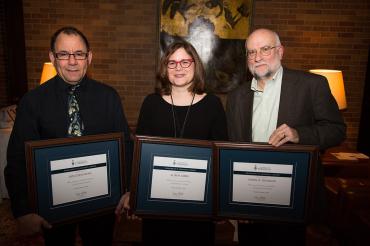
(336, 84)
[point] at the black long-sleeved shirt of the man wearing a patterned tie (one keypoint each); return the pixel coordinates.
(42, 114)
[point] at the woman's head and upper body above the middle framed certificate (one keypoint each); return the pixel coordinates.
(180, 107)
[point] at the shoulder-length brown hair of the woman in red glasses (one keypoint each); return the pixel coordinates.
(163, 85)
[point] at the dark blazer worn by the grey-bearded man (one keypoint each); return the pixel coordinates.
(306, 104)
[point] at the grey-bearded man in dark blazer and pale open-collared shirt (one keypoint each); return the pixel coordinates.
(281, 106)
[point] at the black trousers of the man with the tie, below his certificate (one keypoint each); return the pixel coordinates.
(94, 231)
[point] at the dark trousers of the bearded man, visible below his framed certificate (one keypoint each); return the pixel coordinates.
(271, 234)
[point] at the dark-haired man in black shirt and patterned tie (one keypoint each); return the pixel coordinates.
(68, 105)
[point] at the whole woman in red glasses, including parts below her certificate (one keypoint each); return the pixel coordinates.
(180, 108)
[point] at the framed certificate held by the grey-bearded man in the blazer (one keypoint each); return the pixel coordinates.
(262, 182)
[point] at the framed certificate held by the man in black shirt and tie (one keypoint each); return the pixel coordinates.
(73, 178)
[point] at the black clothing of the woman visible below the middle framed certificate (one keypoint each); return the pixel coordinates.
(178, 232)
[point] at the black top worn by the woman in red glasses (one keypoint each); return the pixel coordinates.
(206, 119)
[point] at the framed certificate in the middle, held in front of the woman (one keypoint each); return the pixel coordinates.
(172, 177)
